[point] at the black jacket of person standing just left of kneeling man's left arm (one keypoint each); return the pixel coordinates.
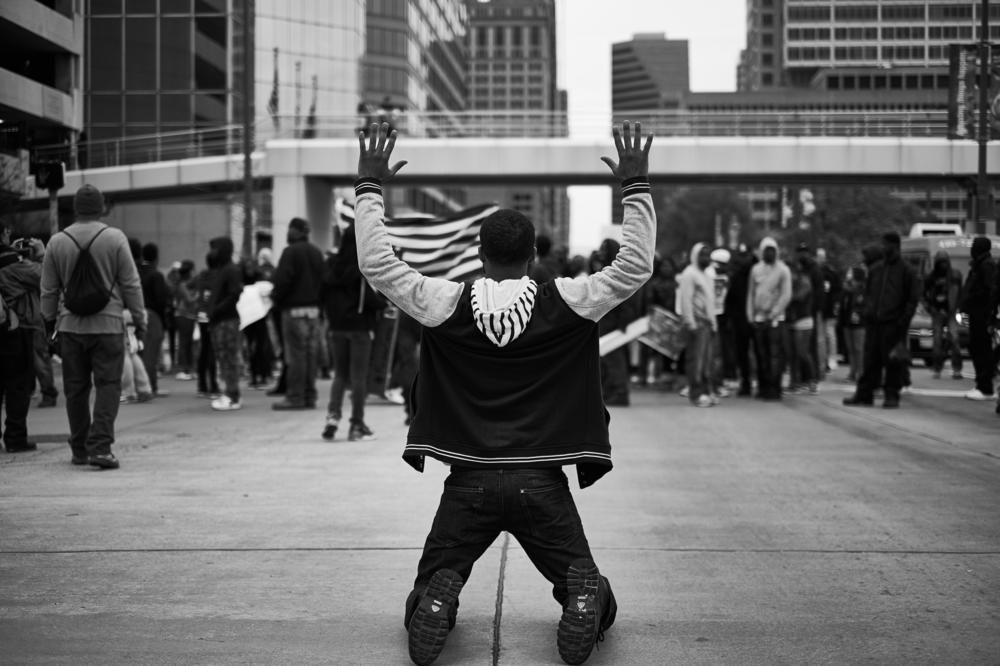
(349, 303)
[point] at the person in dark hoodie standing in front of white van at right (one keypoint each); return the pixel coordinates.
(940, 297)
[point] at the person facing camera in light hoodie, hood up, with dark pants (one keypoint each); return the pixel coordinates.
(769, 292)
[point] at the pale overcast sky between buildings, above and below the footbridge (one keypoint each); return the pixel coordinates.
(715, 30)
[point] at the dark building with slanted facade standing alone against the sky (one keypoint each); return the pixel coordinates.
(649, 72)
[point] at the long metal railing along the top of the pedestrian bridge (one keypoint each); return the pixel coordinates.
(228, 139)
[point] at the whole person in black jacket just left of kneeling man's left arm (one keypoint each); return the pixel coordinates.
(350, 305)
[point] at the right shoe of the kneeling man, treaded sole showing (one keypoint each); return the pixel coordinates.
(589, 610)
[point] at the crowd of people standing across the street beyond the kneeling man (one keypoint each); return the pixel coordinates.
(764, 323)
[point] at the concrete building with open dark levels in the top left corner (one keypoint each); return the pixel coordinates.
(40, 85)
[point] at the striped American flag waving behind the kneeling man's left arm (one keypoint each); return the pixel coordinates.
(445, 247)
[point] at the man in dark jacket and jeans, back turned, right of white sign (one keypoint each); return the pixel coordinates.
(297, 283)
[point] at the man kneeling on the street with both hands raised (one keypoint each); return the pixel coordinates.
(497, 357)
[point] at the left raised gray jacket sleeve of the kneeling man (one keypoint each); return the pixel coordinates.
(428, 300)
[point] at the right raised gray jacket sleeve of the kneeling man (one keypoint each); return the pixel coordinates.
(593, 296)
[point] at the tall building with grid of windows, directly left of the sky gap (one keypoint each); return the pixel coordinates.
(513, 68)
